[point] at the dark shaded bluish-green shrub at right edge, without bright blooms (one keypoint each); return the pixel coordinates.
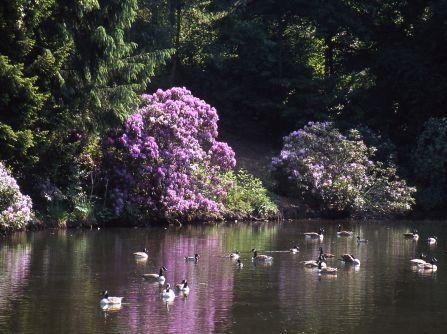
(430, 164)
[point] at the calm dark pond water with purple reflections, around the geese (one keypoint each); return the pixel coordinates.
(50, 281)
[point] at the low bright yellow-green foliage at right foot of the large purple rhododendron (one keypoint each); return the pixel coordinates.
(247, 196)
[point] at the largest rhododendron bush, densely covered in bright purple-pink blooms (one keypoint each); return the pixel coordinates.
(167, 162)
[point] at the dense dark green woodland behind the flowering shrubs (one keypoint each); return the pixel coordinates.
(71, 71)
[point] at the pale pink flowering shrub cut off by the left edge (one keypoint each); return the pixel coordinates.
(15, 208)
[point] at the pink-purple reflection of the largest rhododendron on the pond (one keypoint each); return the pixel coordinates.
(209, 301)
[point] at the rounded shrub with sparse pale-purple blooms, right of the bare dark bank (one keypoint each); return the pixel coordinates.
(337, 173)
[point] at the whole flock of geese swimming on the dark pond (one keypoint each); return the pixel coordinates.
(168, 294)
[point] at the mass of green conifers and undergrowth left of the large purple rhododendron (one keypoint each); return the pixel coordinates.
(68, 71)
